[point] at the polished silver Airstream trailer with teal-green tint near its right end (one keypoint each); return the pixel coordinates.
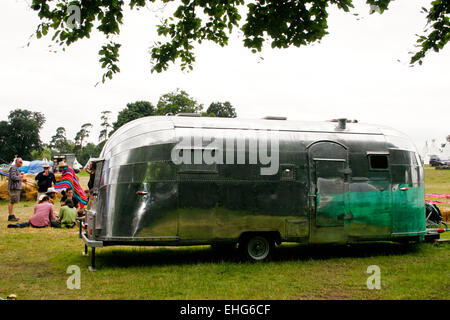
(325, 182)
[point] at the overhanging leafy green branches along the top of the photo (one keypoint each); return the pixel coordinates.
(283, 23)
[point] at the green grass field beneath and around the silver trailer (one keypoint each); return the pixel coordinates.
(34, 264)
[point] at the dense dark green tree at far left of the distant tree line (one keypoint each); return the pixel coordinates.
(20, 134)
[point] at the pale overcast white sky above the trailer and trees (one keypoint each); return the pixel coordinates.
(358, 71)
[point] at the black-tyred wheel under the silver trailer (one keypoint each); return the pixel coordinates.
(257, 248)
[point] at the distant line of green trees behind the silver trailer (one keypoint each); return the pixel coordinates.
(20, 134)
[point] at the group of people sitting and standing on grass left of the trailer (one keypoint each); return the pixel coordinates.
(73, 200)
